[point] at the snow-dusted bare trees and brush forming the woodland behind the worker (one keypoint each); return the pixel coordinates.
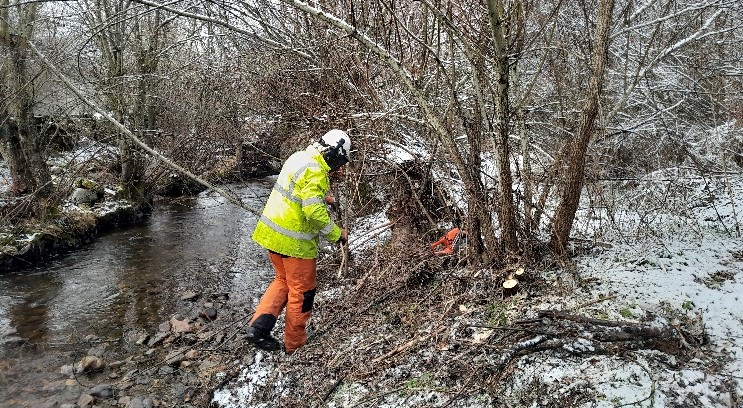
(563, 98)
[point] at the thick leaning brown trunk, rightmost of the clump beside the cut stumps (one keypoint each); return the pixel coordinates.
(575, 152)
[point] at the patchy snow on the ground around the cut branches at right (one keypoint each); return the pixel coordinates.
(690, 265)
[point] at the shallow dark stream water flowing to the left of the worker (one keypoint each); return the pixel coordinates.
(127, 280)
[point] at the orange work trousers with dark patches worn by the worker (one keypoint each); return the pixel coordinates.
(293, 287)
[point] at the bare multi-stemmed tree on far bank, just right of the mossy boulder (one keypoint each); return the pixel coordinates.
(130, 40)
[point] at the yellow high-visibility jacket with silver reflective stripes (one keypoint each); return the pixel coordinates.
(295, 214)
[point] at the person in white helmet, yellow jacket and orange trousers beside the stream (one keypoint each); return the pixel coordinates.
(293, 219)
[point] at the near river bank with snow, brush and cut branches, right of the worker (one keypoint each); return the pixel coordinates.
(637, 320)
